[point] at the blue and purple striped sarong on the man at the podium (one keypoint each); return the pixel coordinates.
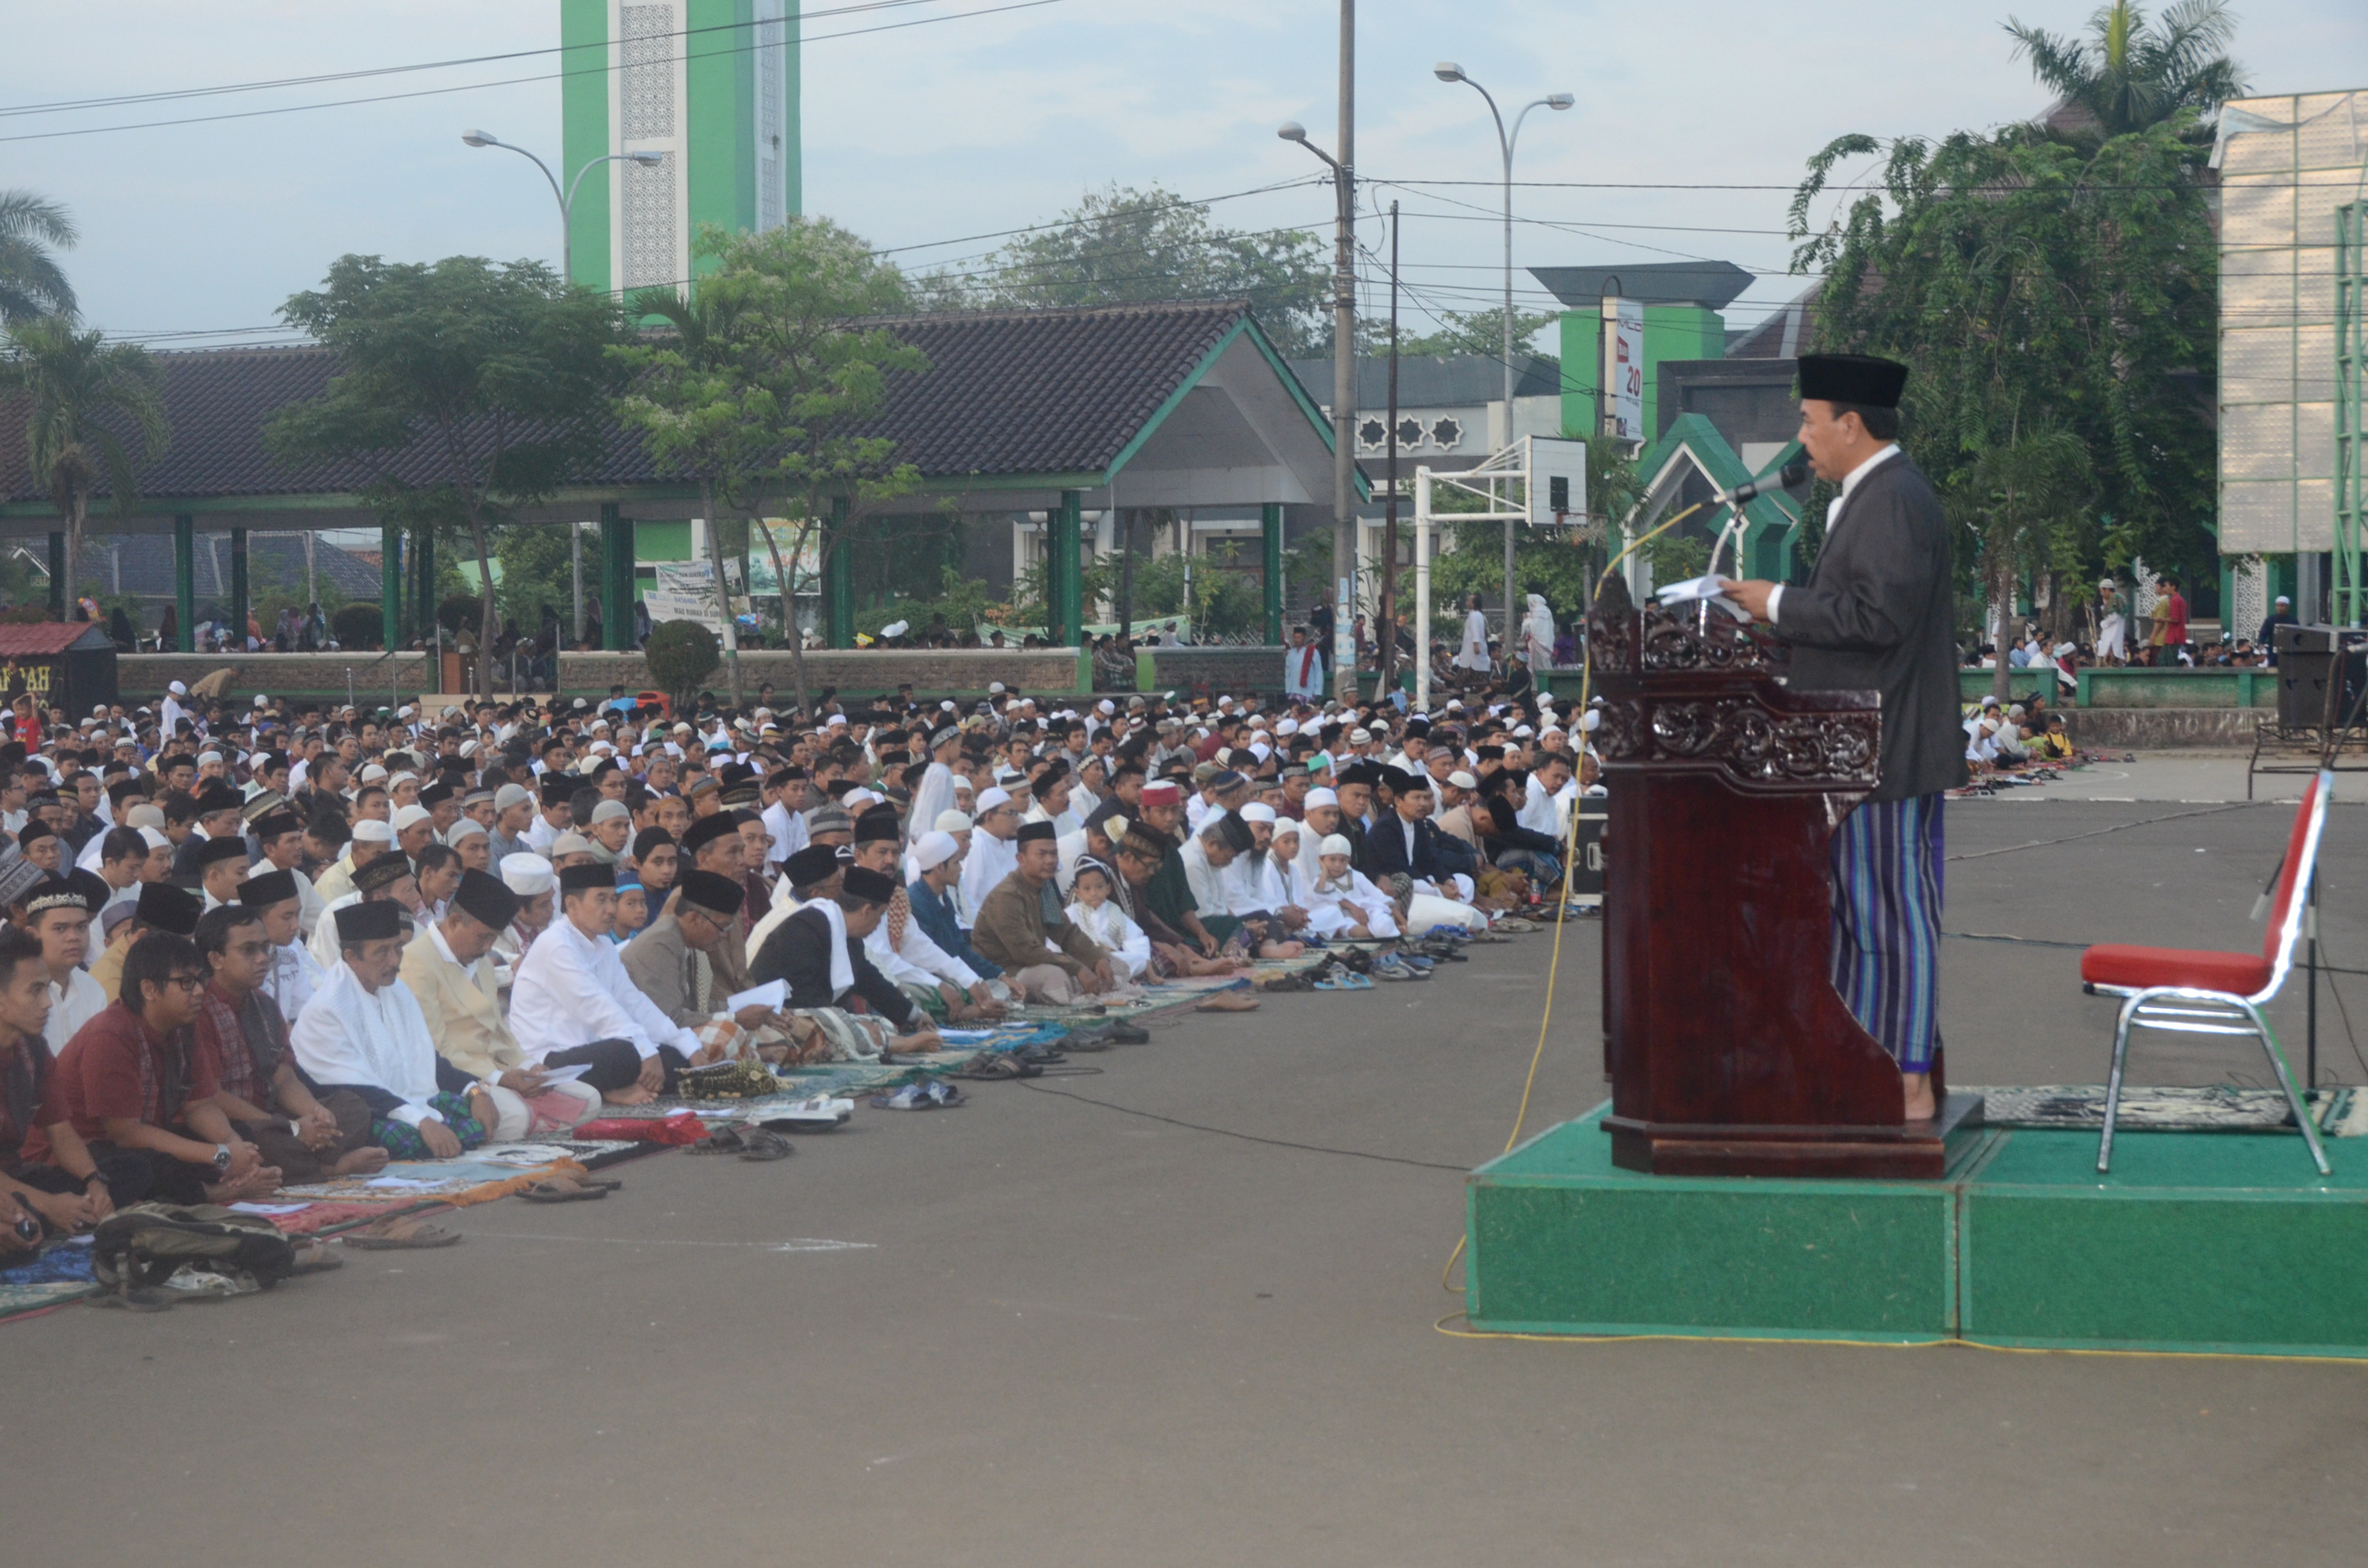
(1886, 925)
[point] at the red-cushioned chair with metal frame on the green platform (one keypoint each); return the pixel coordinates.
(2218, 994)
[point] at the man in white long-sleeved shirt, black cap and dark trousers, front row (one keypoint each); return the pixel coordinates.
(574, 1003)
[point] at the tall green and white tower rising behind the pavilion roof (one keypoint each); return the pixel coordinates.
(707, 84)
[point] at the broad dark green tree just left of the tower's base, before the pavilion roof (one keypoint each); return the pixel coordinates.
(465, 390)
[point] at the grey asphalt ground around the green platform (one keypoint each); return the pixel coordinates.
(1041, 1330)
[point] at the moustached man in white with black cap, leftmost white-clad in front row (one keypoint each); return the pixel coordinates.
(363, 1032)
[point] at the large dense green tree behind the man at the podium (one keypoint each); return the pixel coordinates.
(2035, 285)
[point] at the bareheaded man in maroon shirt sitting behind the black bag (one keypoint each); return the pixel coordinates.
(131, 1086)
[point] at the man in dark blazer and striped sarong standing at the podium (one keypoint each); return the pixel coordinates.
(1879, 615)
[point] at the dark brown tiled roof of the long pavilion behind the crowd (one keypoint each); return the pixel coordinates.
(1010, 392)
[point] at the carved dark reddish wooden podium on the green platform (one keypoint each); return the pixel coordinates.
(1725, 1039)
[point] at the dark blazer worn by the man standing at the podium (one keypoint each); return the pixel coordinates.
(1879, 615)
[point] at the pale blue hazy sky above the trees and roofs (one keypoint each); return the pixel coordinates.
(991, 117)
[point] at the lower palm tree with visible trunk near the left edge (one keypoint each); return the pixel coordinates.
(82, 390)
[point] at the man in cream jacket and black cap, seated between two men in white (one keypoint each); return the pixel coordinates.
(451, 977)
